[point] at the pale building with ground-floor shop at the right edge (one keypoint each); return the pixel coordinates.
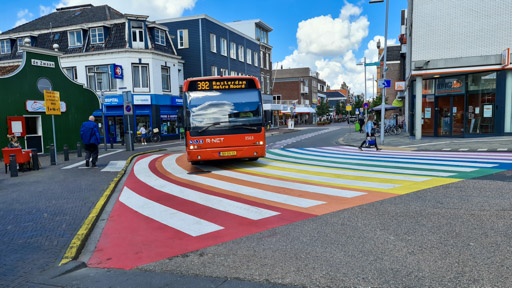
(458, 67)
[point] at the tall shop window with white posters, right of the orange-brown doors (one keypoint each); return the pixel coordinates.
(480, 104)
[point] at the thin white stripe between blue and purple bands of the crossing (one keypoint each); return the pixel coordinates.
(315, 151)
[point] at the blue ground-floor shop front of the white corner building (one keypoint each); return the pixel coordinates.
(150, 110)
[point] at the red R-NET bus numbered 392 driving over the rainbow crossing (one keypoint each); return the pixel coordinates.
(223, 118)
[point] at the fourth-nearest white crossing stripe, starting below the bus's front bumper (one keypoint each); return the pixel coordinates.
(284, 184)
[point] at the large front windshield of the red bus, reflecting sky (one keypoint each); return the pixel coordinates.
(213, 110)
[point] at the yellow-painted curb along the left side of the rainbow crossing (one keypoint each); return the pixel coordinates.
(78, 242)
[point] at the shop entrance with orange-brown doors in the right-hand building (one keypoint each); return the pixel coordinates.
(450, 116)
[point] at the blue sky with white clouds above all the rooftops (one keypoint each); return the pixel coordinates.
(331, 37)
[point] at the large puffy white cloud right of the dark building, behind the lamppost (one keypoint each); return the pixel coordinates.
(327, 45)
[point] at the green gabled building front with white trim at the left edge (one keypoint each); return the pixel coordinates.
(22, 97)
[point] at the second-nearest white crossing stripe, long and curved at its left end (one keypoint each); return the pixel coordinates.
(143, 173)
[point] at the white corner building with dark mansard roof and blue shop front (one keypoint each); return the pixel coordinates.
(111, 53)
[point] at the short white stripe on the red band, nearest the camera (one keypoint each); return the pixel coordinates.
(183, 222)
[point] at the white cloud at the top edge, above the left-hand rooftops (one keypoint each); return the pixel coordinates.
(156, 9)
